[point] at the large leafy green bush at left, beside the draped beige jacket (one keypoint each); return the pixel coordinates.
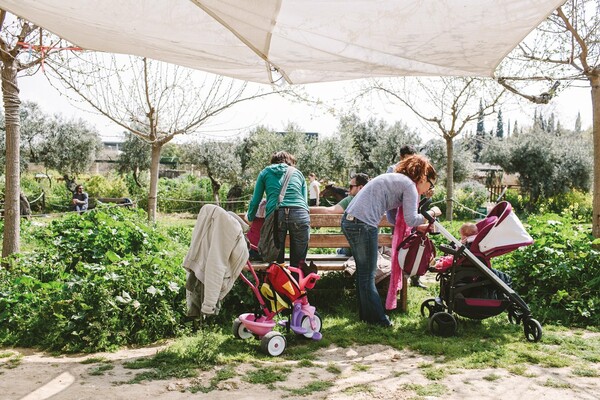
(105, 279)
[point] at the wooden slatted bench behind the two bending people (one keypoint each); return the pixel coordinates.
(333, 240)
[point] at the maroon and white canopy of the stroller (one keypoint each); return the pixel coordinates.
(500, 232)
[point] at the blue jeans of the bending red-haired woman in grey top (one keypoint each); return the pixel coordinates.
(363, 242)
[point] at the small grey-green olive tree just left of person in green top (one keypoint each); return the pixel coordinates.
(218, 160)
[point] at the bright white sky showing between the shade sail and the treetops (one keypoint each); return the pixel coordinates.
(276, 113)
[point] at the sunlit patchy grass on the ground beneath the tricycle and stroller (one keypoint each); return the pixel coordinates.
(491, 343)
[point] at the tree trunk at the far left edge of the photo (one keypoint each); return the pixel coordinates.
(10, 94)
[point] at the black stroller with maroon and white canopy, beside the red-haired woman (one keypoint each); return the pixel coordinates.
(469, 287)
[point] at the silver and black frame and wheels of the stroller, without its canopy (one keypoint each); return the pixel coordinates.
(441, 309)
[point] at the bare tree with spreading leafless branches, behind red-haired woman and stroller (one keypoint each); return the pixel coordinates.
(448, 105)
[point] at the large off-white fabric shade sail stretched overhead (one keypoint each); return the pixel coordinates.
(303, 41)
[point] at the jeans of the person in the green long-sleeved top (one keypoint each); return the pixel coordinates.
(296, 222)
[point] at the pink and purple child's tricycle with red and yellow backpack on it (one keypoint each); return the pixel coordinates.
(280, 292)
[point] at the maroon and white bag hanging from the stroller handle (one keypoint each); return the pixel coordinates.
(415, 253)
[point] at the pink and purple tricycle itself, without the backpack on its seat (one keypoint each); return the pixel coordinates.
(303, 319)
